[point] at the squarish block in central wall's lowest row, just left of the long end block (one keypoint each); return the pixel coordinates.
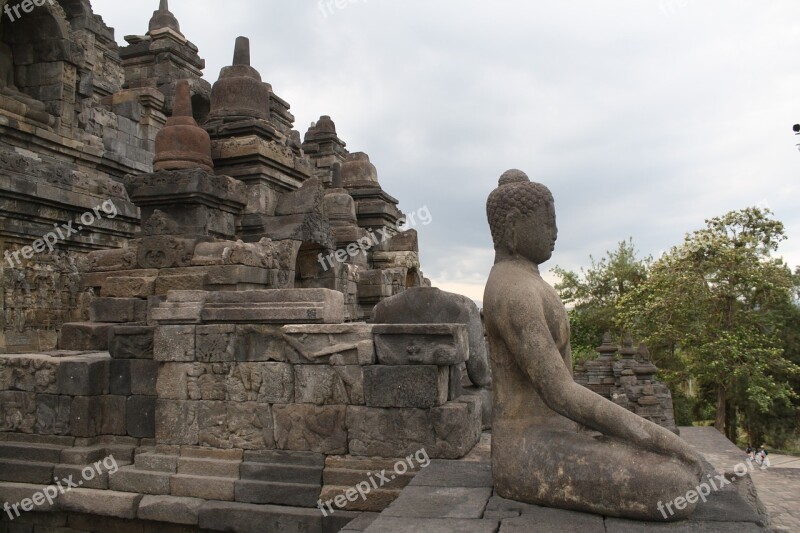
(313, 428)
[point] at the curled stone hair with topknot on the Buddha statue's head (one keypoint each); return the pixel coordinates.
(515, 196)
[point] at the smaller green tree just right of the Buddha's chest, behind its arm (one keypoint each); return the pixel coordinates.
(594, 295)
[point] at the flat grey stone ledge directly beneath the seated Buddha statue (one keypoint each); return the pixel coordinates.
(450, 496)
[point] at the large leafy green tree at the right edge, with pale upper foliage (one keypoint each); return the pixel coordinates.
(715, 304)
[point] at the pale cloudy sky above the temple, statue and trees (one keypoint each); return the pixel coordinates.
(643, 117)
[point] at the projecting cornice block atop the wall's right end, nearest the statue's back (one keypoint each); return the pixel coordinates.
(421, 344)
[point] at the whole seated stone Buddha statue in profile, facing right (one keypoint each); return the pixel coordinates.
(554, 442)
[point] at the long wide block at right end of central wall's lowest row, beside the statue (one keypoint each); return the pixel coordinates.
(446, 432)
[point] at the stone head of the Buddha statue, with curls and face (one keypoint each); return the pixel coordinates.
(522, 218)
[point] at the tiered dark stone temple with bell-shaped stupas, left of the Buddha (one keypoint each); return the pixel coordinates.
(214, 323)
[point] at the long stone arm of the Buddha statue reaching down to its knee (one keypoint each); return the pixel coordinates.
(528, 336)
